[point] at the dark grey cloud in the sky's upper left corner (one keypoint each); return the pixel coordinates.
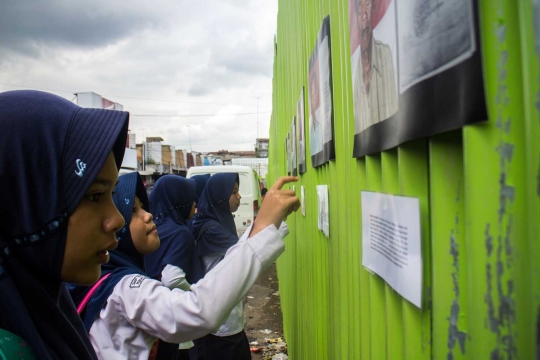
(28, 26)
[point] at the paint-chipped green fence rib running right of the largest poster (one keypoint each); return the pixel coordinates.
(495, 197)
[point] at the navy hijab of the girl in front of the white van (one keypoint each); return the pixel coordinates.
(213, 225)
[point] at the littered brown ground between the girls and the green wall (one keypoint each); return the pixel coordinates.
(262, 311)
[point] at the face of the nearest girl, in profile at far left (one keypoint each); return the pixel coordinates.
(92, 229)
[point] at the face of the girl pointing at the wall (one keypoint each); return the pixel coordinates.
(143, 230)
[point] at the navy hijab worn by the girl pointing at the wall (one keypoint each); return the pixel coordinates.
(125, 259)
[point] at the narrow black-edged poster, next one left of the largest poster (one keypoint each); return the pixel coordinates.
(320, 99)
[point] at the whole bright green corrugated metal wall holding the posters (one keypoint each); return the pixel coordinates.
(479, 192)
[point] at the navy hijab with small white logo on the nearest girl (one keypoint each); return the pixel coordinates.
(45, 142)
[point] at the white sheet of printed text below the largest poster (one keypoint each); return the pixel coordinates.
(391, 242)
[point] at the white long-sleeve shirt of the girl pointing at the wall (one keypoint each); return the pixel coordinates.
(141, 309)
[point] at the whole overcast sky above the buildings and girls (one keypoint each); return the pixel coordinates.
(163, 57)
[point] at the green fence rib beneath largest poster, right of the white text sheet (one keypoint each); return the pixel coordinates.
(449, 256)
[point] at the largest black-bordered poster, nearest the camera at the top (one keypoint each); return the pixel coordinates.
(416, 70)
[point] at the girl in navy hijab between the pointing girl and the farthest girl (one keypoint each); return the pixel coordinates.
(173, 202)
